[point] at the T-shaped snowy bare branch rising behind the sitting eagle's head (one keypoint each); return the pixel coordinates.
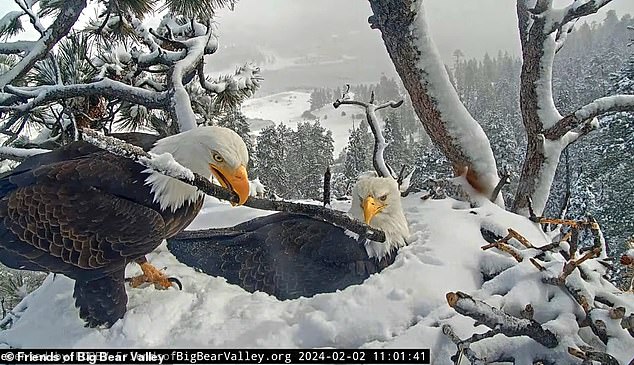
(380, 144)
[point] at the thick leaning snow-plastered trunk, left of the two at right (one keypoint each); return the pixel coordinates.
(446, 120)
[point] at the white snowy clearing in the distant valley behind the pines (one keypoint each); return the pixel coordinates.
(288, 107)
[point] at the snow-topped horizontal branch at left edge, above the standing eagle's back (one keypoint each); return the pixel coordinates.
(40, 95)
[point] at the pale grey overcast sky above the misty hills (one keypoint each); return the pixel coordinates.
(474, 26)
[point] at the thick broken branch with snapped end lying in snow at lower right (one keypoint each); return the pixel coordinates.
(496, 319)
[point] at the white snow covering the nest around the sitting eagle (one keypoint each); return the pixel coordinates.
(403, 306)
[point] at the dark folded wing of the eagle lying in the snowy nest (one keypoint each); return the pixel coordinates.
(286, 255)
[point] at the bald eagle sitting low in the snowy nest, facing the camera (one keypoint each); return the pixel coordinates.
(293, 255)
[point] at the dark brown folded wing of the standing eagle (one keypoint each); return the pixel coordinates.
(77, 216)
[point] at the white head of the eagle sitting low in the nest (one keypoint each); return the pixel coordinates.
(377, 202)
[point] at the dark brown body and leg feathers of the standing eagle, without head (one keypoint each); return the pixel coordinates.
(85, 213)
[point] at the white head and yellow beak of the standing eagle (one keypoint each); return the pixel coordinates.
(207, 151)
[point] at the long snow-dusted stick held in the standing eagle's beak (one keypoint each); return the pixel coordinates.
(166, 165)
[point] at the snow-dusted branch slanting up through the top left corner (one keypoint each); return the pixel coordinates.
(61, 26)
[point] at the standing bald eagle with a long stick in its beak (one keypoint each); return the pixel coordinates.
(86, 213)
